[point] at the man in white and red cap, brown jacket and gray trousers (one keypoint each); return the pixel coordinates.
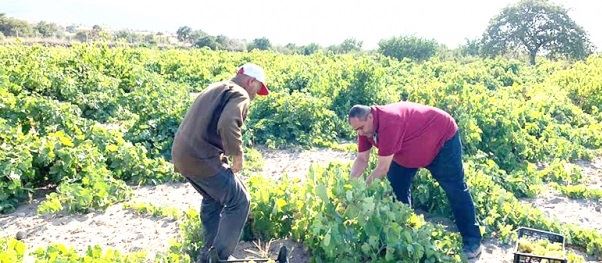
(210, 131)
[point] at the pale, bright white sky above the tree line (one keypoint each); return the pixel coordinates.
(301, 22)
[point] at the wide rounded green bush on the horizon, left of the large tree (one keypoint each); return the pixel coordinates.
(408, 47)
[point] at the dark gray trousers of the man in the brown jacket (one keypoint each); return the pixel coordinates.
(224, 210)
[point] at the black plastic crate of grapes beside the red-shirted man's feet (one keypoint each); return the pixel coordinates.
(536, 234)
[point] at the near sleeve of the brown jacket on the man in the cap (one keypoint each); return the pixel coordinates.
(230, 124)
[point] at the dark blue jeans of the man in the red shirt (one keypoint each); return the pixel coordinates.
(447, 169)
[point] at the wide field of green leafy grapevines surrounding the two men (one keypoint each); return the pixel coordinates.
(84, 124)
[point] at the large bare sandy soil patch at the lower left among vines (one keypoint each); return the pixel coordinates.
(116, 227)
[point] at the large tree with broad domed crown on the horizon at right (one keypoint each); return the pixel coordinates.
(535, 26)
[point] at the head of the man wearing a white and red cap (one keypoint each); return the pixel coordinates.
(252, 78)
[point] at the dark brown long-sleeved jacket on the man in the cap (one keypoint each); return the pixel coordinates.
(210, 130)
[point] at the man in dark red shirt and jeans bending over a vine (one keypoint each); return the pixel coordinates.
(411, 136)
